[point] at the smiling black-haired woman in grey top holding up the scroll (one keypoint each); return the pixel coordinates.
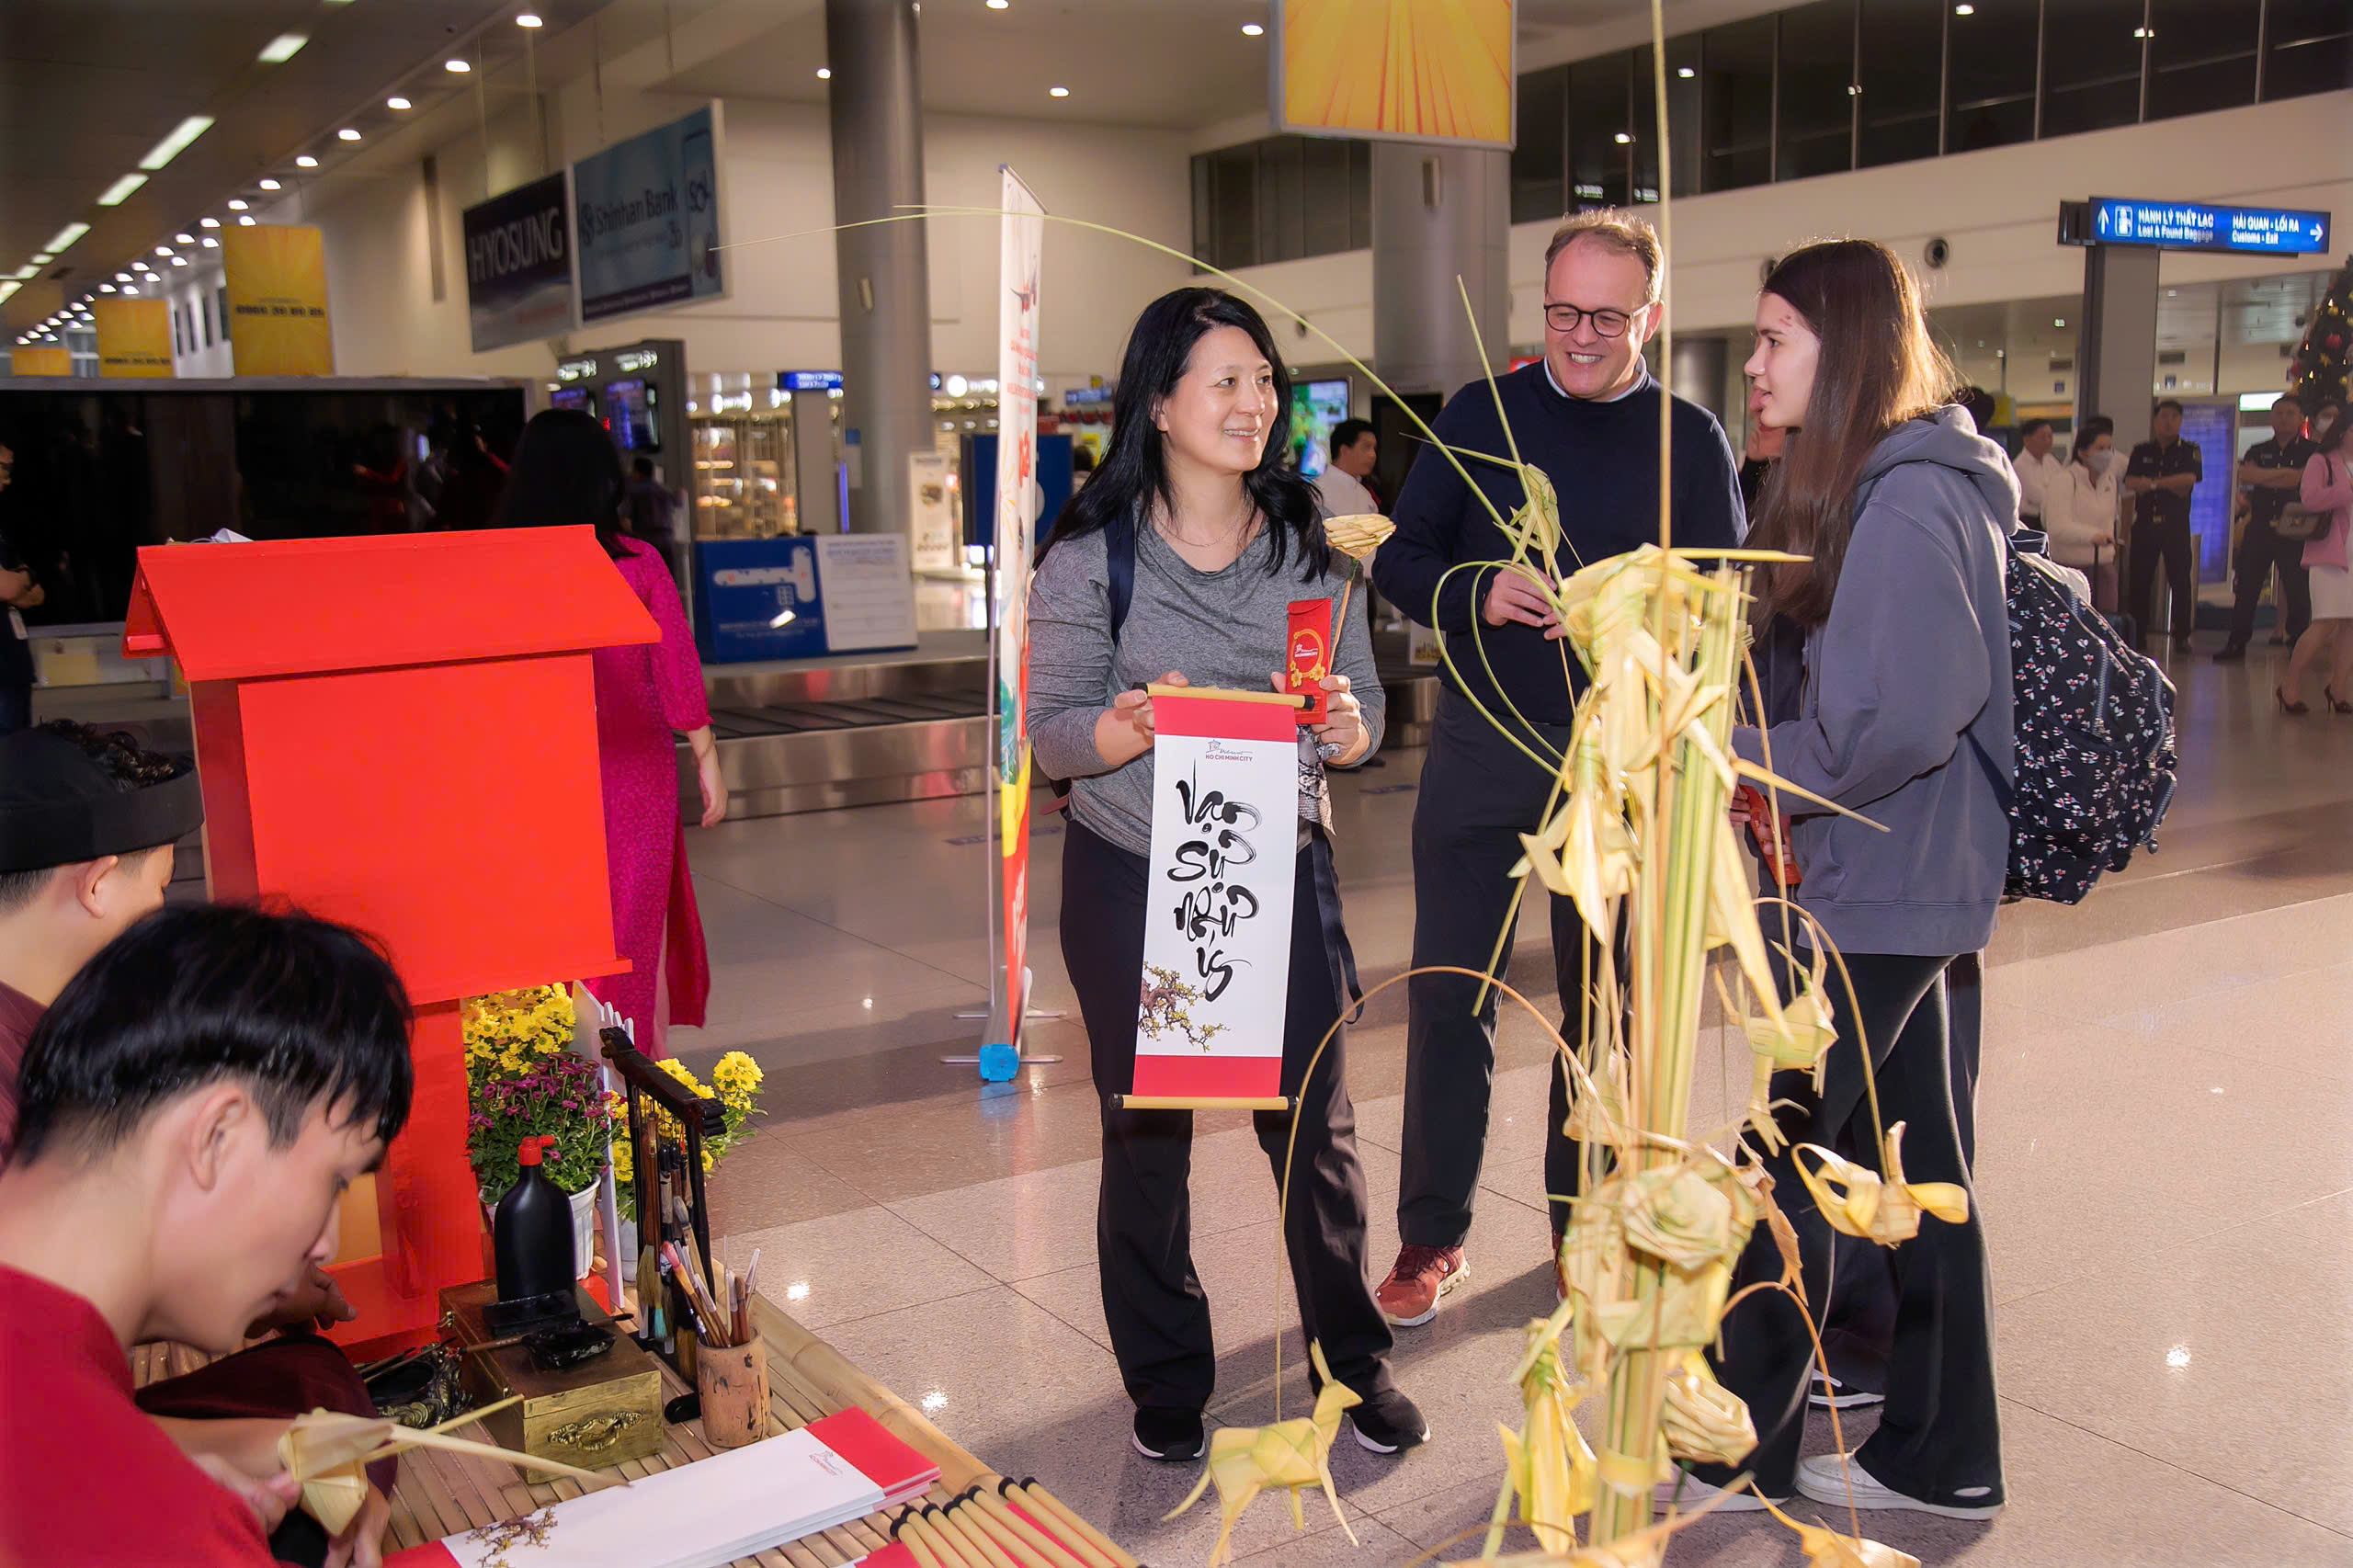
(1199, 510)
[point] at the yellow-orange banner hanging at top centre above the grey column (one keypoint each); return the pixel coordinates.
(1411, 69)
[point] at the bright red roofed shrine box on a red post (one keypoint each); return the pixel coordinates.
(401, 733)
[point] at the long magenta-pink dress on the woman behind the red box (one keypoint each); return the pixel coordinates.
(644, 696)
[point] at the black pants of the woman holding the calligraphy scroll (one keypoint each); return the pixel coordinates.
(1145, 1218)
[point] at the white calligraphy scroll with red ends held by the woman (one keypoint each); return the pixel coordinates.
(1218, 929)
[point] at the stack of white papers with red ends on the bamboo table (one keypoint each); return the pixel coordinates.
(724, 1508)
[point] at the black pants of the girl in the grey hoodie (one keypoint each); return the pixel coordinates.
(1940, 1433)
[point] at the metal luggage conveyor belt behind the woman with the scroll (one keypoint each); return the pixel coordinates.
(806, 740)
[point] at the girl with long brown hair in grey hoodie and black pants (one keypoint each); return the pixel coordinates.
(1902, 512)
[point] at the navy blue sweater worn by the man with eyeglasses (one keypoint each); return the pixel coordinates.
(1604, 460)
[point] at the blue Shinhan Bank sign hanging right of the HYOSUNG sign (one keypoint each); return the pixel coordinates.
(648, 220)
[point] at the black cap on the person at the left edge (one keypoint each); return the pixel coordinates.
(62, 806)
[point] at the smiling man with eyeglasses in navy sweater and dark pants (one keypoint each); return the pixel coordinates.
(1589, 418)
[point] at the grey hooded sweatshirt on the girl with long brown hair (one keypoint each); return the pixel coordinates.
(1912, 667)
